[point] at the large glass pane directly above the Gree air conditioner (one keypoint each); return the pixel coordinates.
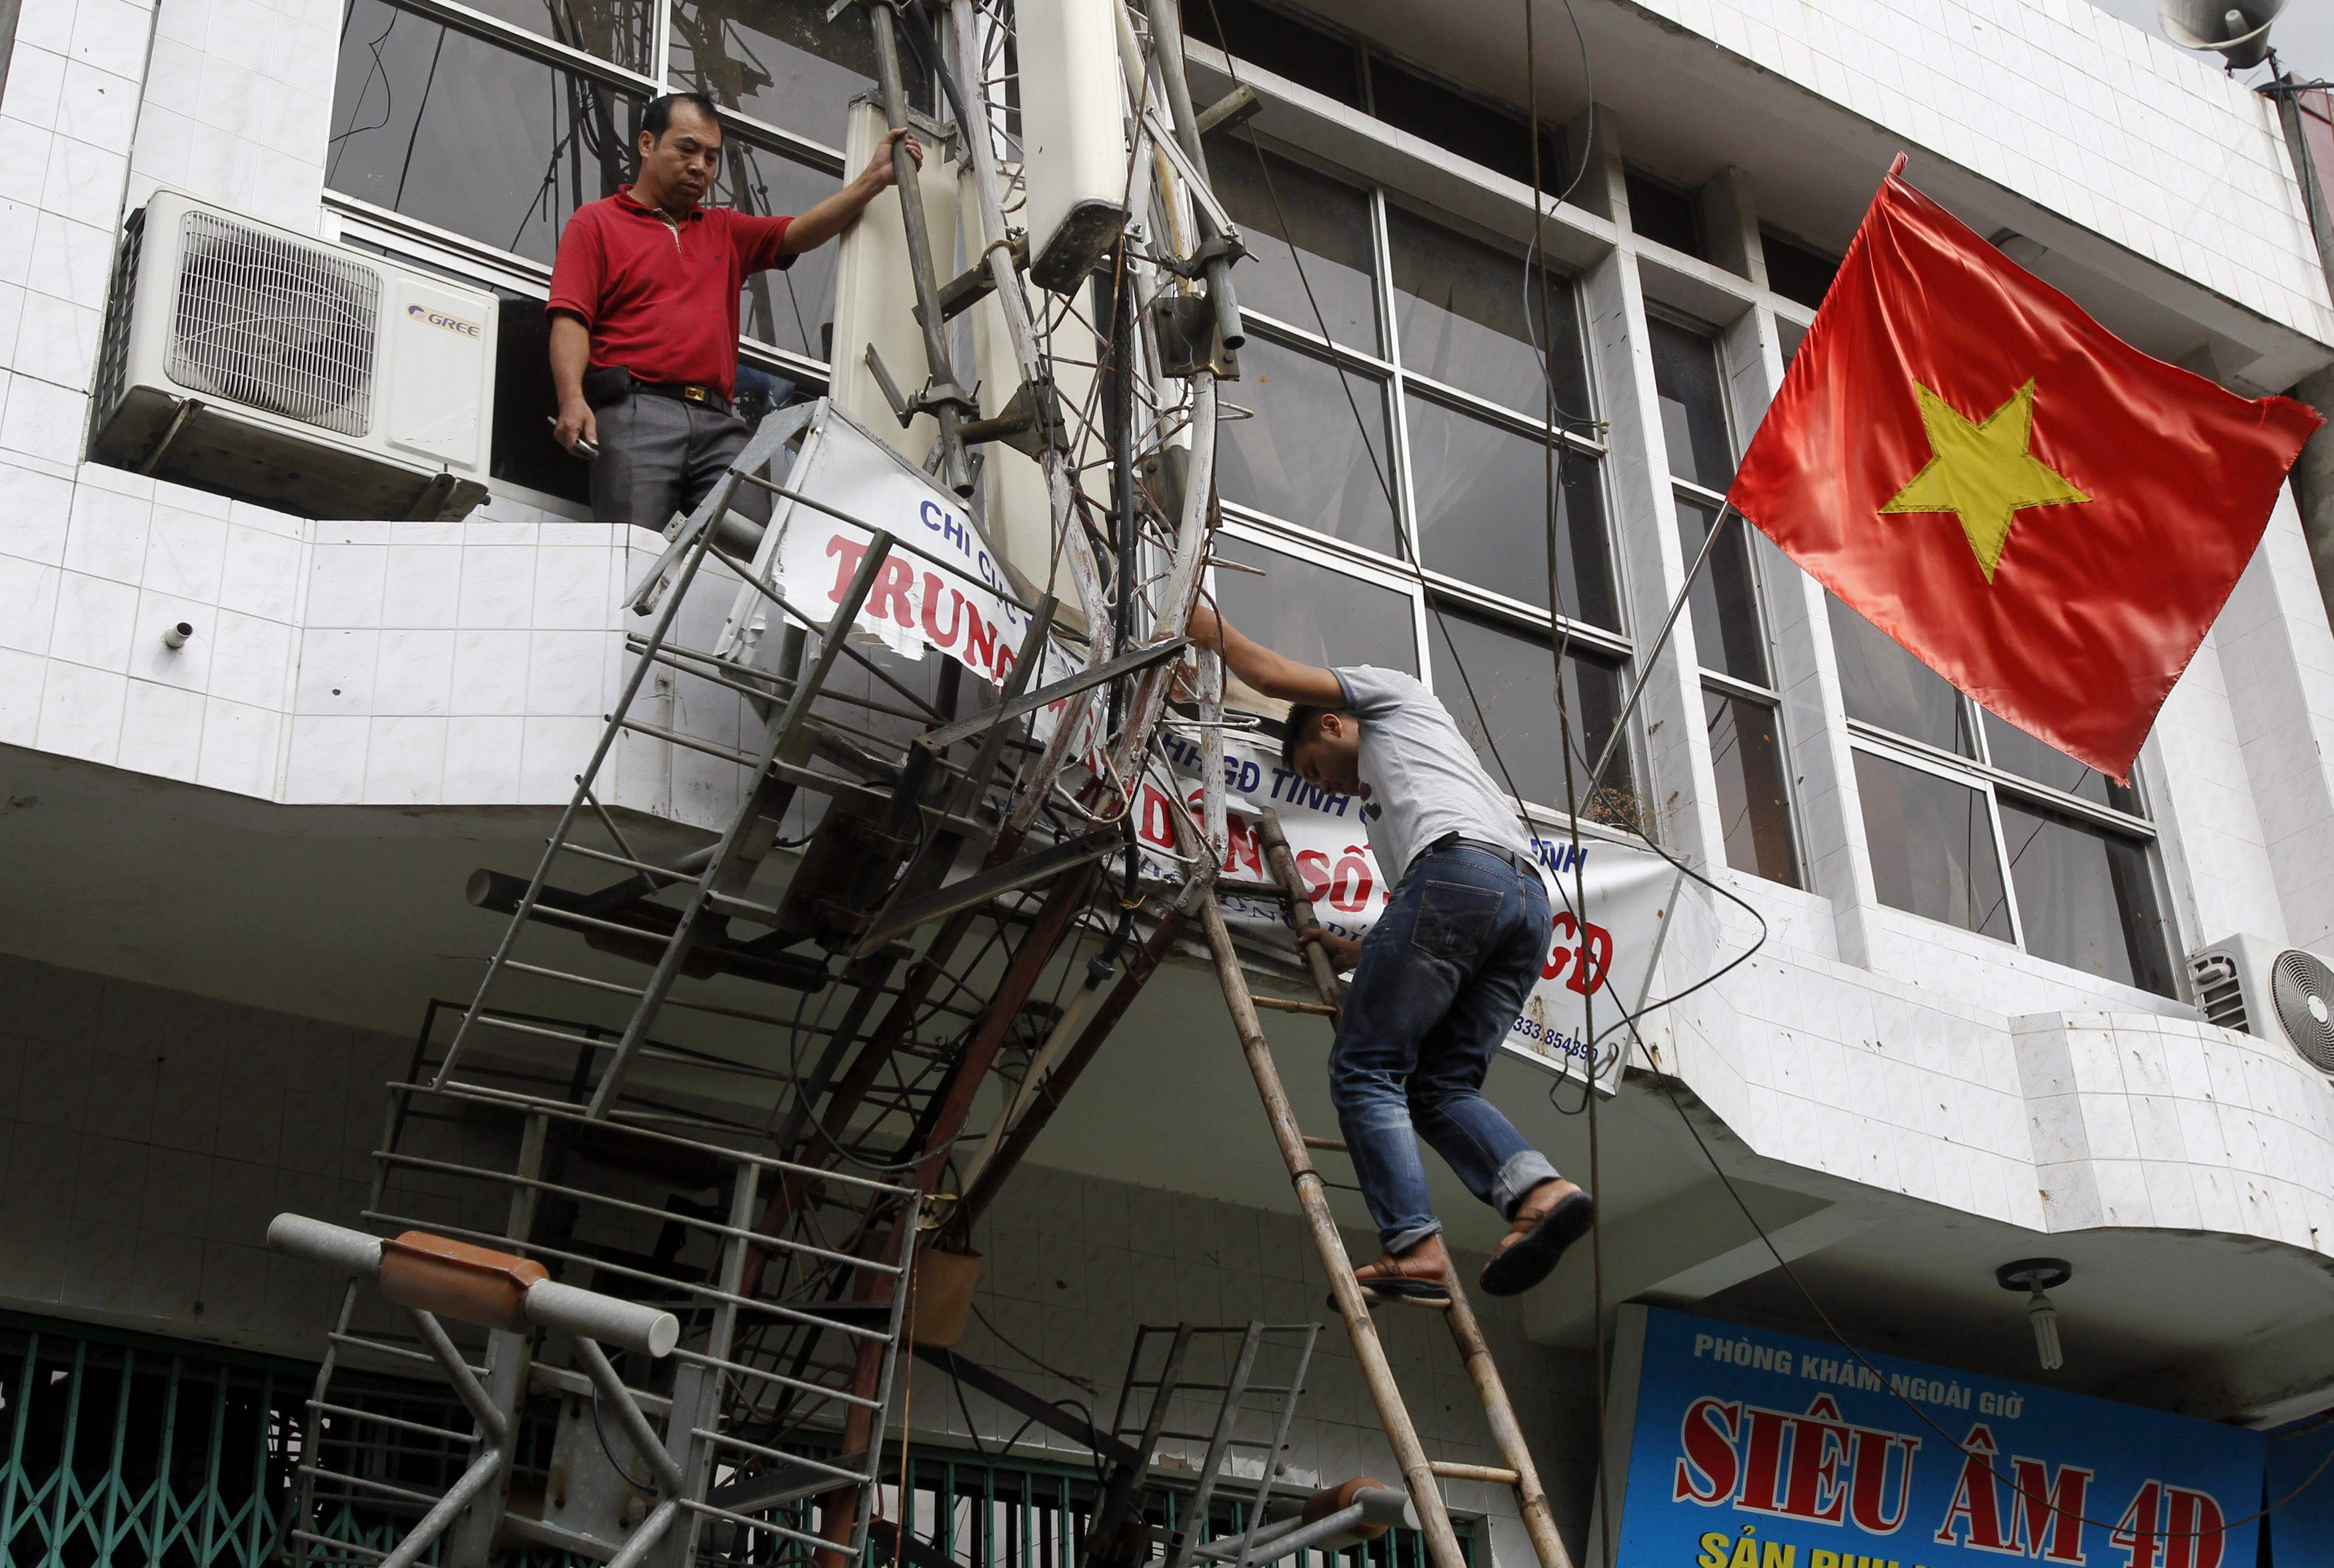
(470, 136)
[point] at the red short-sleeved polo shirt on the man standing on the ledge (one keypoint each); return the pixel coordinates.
(659, 300)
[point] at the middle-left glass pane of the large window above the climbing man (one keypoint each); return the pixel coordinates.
(1301, 458)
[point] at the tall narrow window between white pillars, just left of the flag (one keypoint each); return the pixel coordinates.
(1740, 701)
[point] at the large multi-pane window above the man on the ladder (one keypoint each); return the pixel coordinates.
(1404, 416)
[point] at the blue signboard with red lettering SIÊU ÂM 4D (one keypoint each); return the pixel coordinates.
(1754, 1450)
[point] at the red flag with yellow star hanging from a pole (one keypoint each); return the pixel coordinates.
(2036, 510)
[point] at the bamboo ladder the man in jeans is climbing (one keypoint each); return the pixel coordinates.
(1420, 1473)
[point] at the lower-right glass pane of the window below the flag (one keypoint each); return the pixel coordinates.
(2088, 899)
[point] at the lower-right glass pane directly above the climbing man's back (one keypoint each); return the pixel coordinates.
(1514, 678)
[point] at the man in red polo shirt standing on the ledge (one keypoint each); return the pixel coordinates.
(645, 311)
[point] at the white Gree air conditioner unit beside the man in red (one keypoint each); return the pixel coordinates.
(321, 381)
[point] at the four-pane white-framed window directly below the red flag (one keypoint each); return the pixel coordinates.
(1976, 822)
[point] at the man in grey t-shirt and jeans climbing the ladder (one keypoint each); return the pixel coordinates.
(1441, 976)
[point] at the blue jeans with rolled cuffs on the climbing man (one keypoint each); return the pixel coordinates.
(1444, 976)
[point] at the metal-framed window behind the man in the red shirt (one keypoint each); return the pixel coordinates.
(468, 136)
